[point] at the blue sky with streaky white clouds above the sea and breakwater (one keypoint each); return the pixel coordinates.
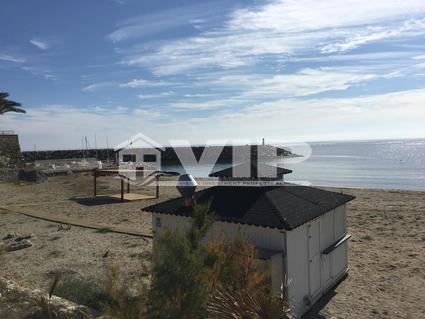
(285, 70)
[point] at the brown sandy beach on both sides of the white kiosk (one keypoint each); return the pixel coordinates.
(386, 254)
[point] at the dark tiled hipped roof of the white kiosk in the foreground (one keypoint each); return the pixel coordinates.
(284, 207)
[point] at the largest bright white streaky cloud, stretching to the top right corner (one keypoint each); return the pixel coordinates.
(284, 29)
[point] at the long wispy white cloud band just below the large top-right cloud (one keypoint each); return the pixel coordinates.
(249, 89)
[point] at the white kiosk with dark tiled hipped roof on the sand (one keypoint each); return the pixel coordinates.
(301, 231)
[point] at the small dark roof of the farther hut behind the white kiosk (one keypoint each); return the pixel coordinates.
(253, 170)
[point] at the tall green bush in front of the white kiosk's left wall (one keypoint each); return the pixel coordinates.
(180, 284)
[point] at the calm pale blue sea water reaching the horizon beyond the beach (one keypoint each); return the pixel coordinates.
(395, 164)
